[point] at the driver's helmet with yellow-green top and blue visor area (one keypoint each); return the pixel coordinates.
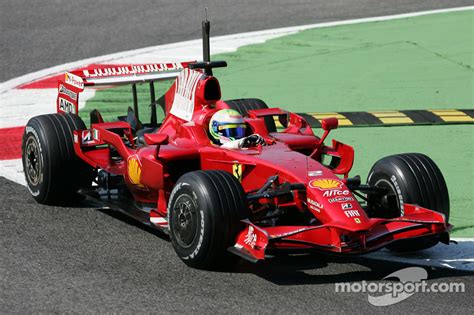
(226, 125)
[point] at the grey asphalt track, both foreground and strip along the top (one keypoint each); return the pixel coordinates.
(80, 259)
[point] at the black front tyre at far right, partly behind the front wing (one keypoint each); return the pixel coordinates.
(411, 178)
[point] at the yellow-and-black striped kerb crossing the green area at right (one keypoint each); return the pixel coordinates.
(393, 118)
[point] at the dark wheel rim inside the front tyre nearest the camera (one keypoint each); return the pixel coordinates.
(184, 218)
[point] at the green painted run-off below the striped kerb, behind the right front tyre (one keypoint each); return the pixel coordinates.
(451, 147)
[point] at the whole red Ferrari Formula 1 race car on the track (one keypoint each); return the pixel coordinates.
(292, 194)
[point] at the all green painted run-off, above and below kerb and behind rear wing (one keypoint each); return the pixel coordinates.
(416, 63)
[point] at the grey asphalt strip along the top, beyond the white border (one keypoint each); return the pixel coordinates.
(41, 34)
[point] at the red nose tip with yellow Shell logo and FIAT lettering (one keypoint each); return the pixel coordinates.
(332, 202)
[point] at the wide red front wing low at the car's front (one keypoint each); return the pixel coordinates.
(417, 222)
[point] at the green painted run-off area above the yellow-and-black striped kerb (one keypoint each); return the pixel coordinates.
(416, 63)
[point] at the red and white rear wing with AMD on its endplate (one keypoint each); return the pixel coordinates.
(76, 81)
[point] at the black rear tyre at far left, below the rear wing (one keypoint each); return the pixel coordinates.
(53, 172)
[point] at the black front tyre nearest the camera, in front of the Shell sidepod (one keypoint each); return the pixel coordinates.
(204, 214)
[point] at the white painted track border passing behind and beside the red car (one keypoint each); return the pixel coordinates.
(21, 107)
